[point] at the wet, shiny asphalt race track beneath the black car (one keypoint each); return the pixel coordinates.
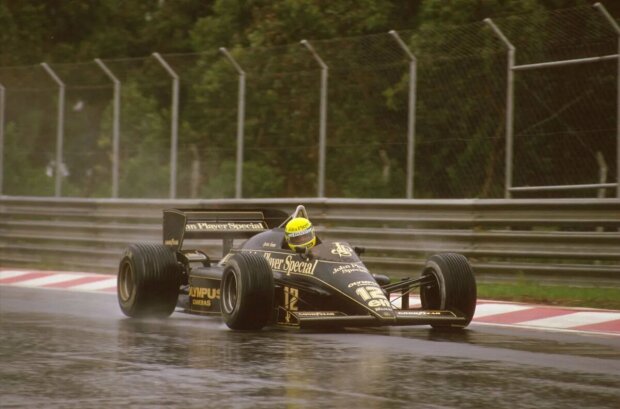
(61, 349)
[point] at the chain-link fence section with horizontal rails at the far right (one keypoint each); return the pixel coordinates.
(566, 111)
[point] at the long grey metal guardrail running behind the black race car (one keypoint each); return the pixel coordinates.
(570, 239)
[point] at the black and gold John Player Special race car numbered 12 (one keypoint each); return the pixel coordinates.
(263, 282)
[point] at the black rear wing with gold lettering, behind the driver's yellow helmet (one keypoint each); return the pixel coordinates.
(181, 224)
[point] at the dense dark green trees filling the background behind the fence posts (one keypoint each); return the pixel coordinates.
(460, 94)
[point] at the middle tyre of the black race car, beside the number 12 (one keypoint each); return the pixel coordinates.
(247, 292)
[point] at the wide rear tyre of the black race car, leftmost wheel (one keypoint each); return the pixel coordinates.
(148, 281)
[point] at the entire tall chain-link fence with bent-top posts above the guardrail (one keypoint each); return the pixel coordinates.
(516, 106)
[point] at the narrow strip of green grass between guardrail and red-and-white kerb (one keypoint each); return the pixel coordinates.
(531, 292)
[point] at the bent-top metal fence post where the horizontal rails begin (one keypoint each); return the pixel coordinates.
(509, 107)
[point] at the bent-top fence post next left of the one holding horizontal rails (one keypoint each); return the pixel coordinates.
(410, 114)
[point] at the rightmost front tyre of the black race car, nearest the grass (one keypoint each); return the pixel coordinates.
(452, 286)
